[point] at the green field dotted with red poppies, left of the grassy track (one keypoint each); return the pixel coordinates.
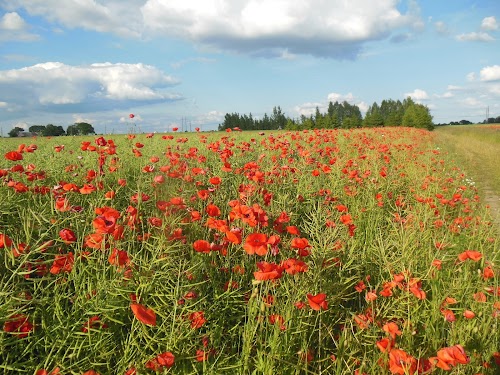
(361, 251)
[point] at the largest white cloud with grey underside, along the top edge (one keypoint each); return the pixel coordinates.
(271, 28)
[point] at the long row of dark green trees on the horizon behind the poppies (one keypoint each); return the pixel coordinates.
(339, 115)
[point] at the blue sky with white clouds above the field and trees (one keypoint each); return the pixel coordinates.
(186, 63)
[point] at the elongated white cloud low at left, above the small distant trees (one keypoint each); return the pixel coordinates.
(54, 84)
